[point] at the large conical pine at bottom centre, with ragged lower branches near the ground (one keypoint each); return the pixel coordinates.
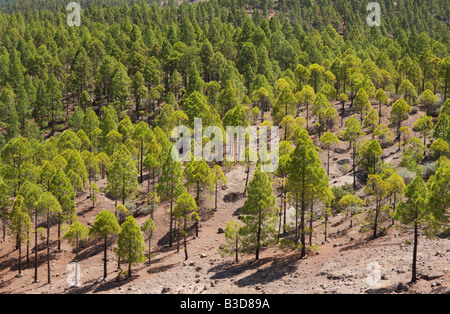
(260, 214)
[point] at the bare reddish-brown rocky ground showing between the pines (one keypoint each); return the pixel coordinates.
(340, 265)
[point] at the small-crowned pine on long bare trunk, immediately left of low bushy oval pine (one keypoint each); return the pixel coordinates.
(105, 225)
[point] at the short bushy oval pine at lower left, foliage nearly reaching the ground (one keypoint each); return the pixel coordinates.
(131, 244)
